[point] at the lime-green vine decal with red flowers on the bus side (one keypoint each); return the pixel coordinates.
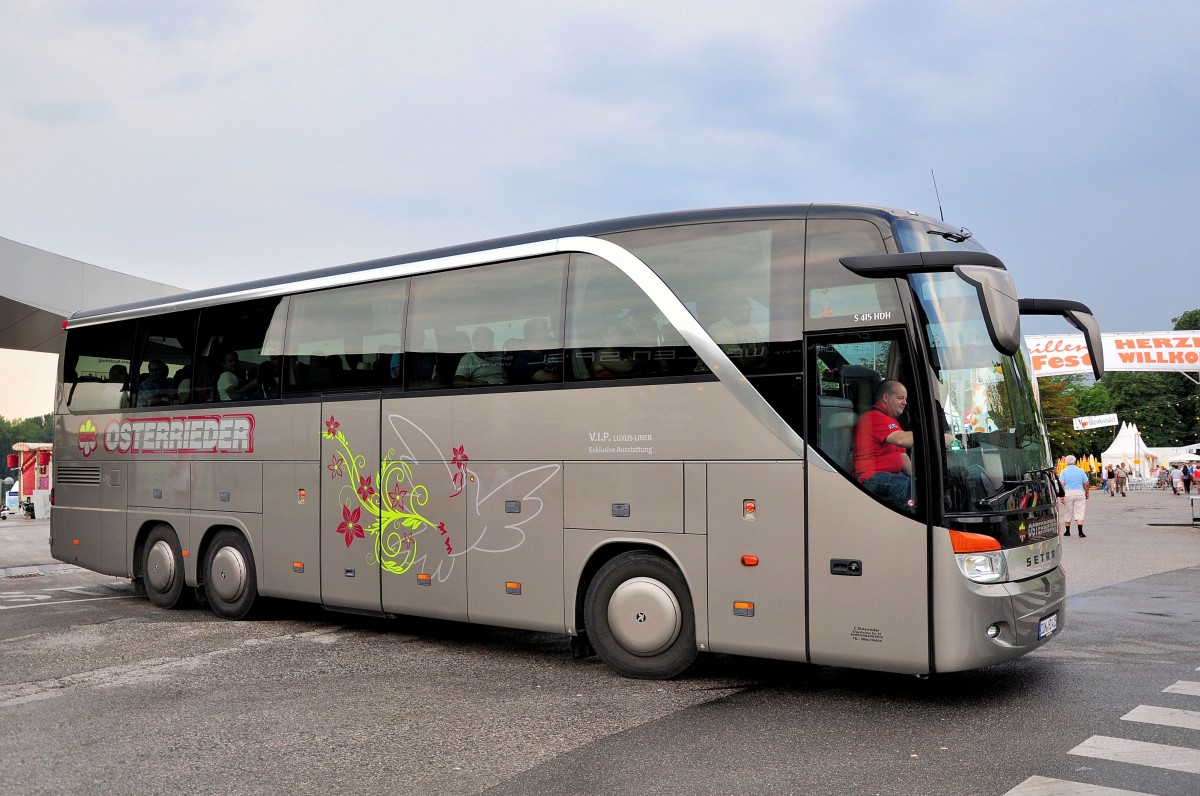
(393, 496)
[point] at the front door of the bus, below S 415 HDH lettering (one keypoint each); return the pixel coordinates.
(868, 554)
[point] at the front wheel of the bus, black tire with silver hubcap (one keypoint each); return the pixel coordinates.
(639, 618)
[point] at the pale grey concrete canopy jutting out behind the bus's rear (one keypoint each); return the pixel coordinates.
(40, 290)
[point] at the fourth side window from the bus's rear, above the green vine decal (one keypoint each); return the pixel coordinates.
(347, 338)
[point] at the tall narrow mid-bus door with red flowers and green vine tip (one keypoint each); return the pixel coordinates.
(350, 504)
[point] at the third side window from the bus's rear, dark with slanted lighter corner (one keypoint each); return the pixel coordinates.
(239, 355)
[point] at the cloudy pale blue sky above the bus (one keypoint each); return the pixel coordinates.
(205, 143)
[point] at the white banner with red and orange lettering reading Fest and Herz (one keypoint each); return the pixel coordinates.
(1143, 351)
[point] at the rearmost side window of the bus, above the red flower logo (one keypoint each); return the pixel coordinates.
(97, 367)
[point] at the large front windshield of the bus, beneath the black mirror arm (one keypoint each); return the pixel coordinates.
(987, 400)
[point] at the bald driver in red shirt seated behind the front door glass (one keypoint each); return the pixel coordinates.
(881, 448)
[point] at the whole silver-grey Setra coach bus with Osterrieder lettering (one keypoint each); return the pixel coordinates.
(639, 433)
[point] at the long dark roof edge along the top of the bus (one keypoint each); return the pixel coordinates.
(362, 271)
